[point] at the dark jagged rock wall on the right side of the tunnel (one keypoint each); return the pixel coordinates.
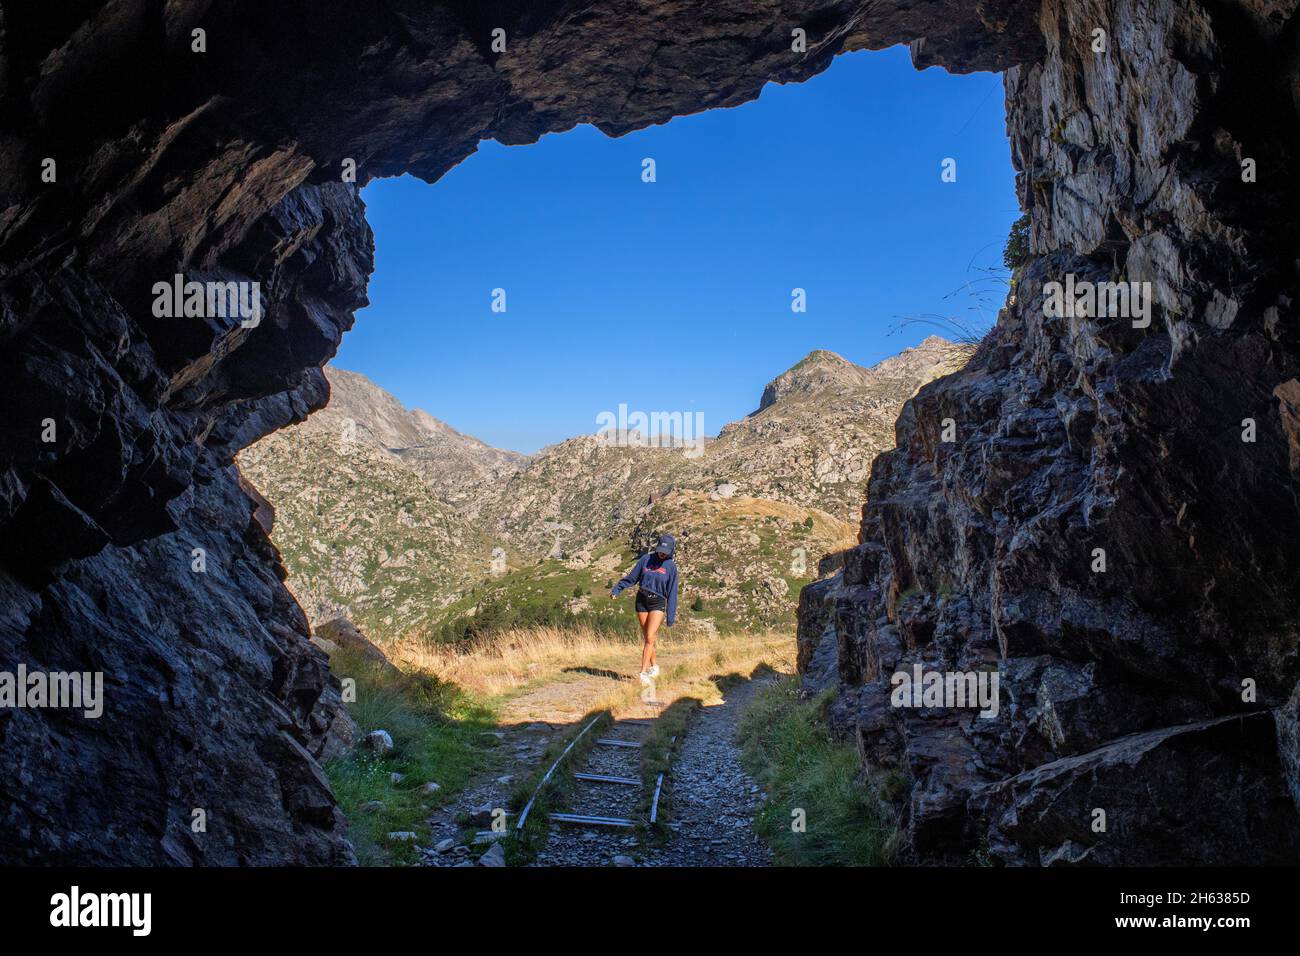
(1126, 690)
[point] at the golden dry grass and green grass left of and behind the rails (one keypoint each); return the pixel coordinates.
(441, 704)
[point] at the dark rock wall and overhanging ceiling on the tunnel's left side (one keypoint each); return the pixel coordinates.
(142, 140)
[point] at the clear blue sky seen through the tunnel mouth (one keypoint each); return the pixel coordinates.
(675, 296)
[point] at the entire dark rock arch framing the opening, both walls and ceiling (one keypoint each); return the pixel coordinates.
(129, 157)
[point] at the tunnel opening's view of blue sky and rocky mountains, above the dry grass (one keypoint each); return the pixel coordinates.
(579, 335)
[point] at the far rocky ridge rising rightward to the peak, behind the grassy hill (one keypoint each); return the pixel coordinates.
(811, 443)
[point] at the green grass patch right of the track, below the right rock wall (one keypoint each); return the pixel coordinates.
(788, 751)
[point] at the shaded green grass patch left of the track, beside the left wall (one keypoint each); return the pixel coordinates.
(440, 736)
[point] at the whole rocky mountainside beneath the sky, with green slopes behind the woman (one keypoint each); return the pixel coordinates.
(401, 522)
